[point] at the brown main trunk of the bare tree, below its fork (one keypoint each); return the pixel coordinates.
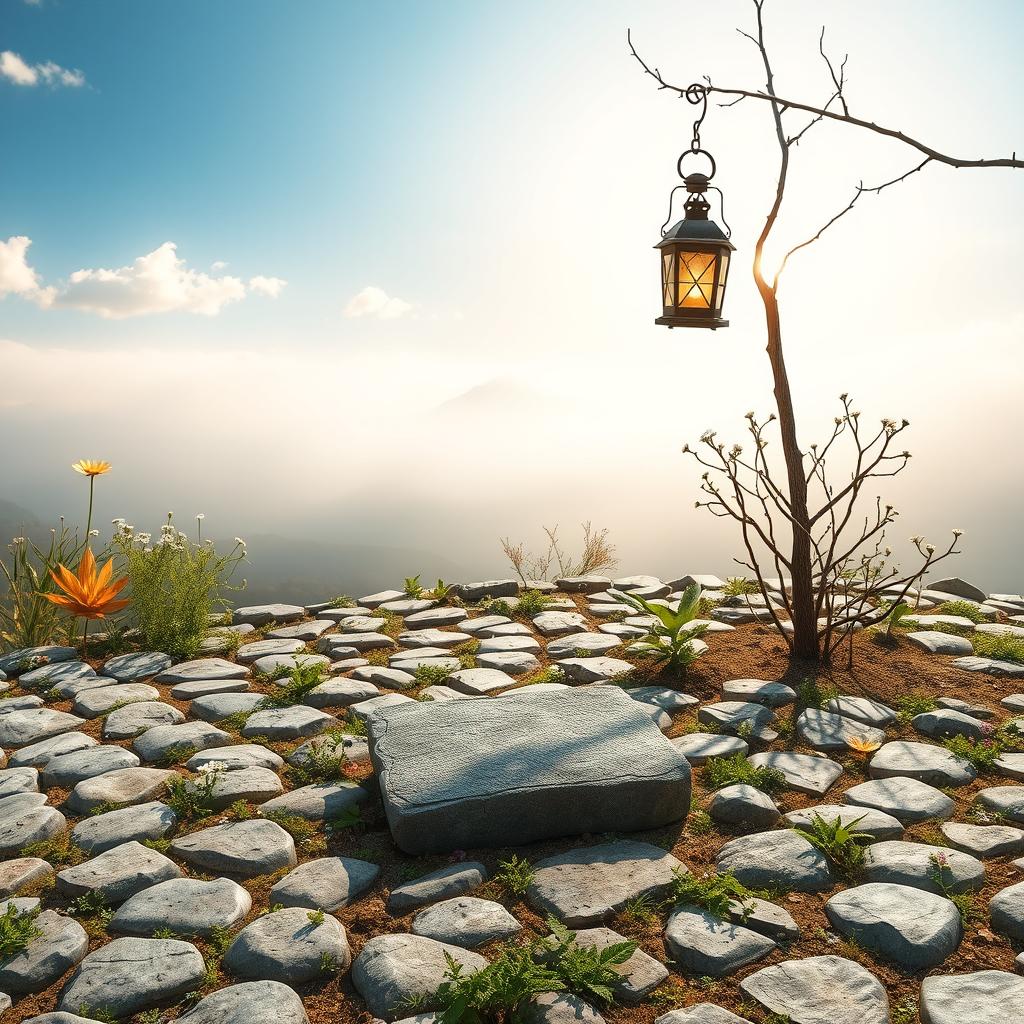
(805, 626)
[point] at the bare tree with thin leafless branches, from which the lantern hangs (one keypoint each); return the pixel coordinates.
(812, 569)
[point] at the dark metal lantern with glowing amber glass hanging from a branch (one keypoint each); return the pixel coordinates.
(695, 251)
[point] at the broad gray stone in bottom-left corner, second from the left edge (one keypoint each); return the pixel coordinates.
(130, 975)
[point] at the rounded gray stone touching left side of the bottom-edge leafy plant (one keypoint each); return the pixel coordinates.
(392, 971)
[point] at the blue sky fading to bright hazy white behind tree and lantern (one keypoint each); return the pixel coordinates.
(495, 176)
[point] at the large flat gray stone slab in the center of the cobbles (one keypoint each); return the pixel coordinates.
(456, 775)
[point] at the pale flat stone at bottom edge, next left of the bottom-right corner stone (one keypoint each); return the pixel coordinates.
(820, 991)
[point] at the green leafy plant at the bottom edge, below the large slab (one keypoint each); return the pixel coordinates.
(495, 994)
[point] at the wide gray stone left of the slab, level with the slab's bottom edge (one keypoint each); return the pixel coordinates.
(243, 849)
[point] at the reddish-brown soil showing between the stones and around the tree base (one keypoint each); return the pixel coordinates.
(751, 652)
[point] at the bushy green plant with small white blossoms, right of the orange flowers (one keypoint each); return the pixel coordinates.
(176, 585)
